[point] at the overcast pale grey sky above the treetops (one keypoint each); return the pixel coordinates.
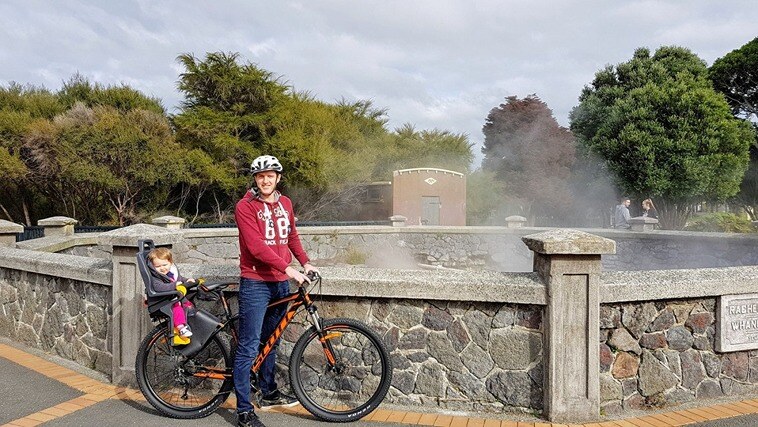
(436, 64)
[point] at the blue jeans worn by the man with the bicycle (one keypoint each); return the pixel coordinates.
(255, 321)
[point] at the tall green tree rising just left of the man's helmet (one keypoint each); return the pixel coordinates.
(225, 116)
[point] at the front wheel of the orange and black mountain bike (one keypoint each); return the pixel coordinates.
(359, 381)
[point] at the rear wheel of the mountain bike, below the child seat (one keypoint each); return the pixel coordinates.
(165, 377)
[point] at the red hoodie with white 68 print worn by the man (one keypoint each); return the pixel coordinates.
(268, 237)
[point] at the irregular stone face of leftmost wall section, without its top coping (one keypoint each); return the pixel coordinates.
(66, 317)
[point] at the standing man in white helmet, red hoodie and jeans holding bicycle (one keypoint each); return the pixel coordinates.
(268, 238)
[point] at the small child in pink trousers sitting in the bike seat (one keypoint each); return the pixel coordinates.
(163, 262)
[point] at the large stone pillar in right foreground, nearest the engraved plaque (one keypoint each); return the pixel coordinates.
(568, 261)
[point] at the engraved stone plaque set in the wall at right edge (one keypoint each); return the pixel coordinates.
(737, 328)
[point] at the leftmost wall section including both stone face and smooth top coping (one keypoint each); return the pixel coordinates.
(58, 303)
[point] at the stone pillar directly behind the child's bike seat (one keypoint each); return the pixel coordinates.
(129, 320)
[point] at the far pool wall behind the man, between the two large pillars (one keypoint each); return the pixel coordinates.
(380, 247)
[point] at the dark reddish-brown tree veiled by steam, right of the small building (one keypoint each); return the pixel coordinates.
(528, 151)
